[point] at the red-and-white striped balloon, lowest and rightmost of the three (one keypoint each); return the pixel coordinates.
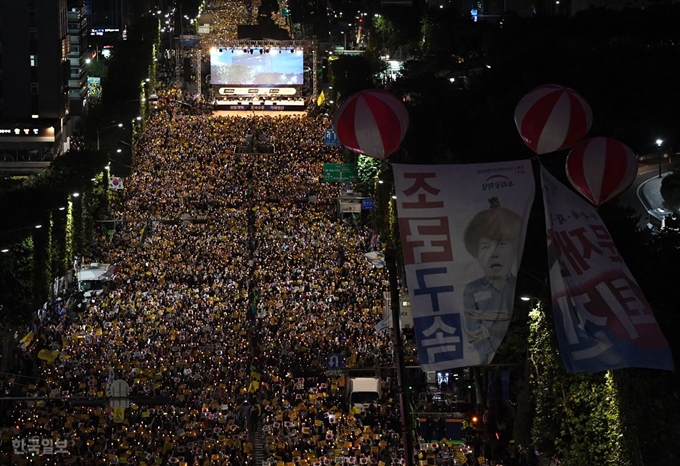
(601, 168)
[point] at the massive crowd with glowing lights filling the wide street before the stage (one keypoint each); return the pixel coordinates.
(236, 279)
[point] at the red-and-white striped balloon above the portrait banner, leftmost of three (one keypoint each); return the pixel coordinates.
(371, 122)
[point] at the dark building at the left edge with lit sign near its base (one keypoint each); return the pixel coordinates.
(34, 74)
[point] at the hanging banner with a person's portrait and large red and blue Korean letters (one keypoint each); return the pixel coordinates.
(462, 234)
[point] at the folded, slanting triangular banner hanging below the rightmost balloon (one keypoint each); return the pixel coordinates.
(603, 320)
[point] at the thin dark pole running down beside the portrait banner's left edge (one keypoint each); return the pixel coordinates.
(404, 406)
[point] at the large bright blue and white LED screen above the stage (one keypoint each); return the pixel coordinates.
(273, 68)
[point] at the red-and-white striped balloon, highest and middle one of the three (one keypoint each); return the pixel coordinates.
(552, 117)
